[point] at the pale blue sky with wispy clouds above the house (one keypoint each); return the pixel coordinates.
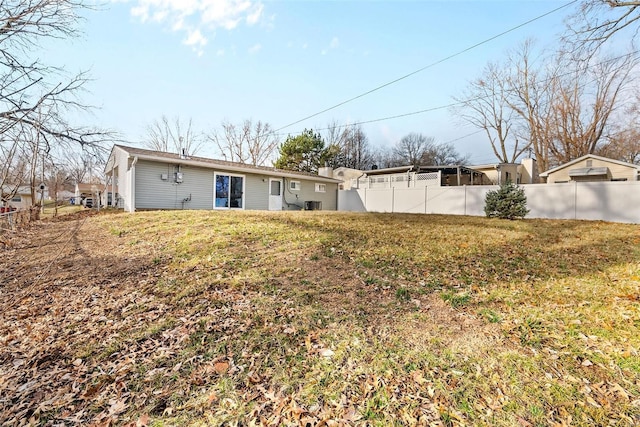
(279, 61)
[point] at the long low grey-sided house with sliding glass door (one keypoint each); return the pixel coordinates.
(146, 179)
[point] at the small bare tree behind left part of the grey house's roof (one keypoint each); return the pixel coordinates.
(173, 136)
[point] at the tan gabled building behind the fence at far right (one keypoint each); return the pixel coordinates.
(592, 168)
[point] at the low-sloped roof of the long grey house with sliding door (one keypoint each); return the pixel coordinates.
(164, 157)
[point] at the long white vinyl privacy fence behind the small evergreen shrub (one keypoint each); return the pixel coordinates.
(608, 201)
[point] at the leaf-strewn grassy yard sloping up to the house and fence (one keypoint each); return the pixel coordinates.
(319, 319)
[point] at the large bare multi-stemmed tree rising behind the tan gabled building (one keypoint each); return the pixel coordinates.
(565, 108)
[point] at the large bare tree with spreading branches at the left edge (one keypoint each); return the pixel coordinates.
(37, 98)
